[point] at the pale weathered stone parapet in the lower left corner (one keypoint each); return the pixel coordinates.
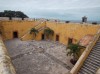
(6, 66)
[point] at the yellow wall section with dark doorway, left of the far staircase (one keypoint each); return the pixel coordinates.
(8, 27)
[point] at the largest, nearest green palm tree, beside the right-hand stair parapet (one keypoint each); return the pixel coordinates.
(74, 51)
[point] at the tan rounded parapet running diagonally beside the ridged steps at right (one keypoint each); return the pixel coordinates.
(85, 54)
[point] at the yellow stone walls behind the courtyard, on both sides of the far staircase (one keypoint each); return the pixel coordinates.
(64, 30)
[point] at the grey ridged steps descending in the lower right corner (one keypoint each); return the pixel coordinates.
(92, 63)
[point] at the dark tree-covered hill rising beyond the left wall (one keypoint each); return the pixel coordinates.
(10, 14)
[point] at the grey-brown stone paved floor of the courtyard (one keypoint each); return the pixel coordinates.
(38, 57)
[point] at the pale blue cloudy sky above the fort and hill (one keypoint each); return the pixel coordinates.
(55, 9)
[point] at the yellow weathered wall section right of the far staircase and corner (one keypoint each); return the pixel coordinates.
(72, 30)
